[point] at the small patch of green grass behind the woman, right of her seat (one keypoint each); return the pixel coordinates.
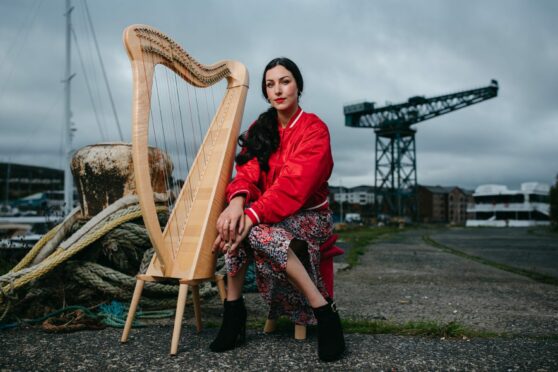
(359, 238)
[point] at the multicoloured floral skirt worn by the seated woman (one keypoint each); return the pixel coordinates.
(268, 245)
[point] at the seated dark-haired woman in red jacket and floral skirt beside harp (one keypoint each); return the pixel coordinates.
(278, 203)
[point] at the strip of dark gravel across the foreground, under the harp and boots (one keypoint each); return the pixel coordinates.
(148, 350)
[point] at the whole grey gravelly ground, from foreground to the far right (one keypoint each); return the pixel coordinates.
(399, 279)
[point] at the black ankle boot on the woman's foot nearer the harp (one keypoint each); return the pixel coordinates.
(233, 328)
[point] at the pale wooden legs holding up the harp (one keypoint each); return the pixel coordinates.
(180, 305)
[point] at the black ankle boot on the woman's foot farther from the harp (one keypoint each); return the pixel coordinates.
(331, 342)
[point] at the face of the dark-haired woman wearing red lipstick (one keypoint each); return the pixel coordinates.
(281, 89)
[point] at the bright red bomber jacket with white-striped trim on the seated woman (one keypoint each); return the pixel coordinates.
(297, 176)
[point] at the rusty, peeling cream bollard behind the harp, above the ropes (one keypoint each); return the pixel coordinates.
(103, 173)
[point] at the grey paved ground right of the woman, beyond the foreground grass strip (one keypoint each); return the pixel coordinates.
(404, 279)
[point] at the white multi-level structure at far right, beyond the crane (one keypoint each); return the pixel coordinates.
(496, 205)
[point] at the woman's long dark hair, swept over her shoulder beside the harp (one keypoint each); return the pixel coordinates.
(262, 139)
